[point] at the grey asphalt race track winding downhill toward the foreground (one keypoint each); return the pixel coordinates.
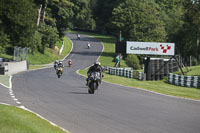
(112, 109)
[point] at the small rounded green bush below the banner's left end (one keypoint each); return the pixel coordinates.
(133, 61)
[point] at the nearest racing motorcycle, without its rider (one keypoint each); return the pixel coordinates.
(93, 83)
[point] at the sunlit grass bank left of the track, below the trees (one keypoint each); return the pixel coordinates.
(49, 55)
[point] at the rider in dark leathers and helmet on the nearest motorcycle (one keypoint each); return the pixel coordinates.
(95, 68)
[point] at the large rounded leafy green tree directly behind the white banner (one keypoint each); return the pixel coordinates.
(138, 21)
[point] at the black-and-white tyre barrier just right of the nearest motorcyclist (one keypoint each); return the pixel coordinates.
(126, 72)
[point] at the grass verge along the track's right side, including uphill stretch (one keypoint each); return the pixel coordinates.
(157, 86)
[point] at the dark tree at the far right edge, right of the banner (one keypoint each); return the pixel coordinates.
(188, 39)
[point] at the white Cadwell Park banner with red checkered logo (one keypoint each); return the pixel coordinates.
(150, 48)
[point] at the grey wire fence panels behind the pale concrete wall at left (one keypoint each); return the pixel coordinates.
(20, 53)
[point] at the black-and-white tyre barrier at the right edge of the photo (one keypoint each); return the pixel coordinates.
(181, 80)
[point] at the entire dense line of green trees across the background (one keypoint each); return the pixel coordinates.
(38, 24)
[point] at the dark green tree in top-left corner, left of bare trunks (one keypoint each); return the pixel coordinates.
(18, 21)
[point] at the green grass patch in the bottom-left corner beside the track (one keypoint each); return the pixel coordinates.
(16, 120)
